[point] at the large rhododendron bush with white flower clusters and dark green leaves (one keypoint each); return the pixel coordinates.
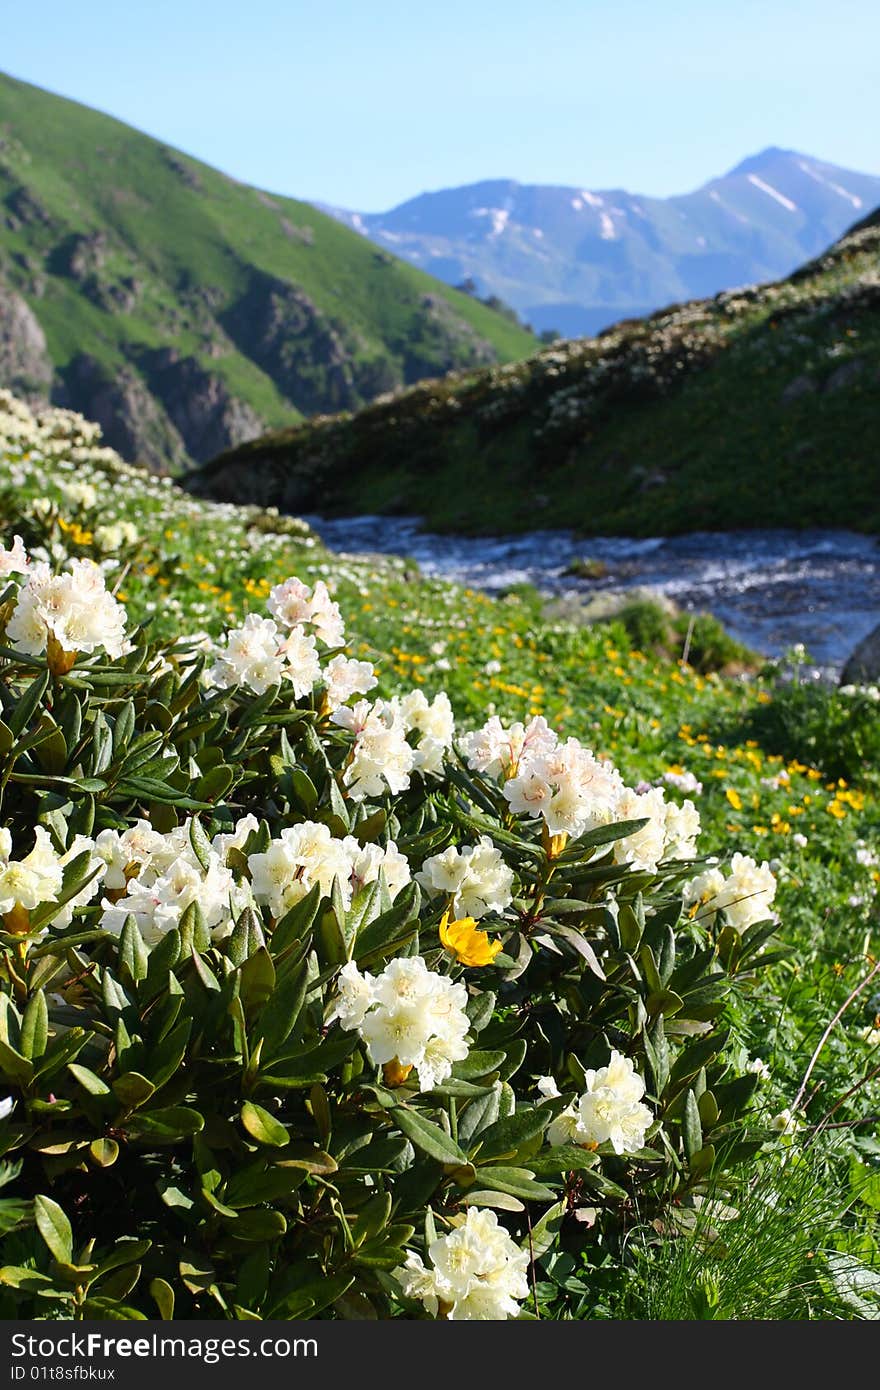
(313, 1003)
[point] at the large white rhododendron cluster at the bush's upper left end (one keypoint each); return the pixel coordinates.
(74, 610)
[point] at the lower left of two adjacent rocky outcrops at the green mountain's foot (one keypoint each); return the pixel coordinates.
(131, 420)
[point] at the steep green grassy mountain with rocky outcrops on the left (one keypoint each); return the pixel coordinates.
(187, 312)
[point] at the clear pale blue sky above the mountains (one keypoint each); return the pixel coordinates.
(365, 104)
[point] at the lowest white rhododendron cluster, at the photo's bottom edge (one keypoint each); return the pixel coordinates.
(478, 1273)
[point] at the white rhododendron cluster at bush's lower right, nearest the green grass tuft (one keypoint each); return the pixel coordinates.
(611, 1110)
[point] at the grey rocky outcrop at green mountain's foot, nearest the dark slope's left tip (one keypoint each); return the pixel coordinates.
(204, 411)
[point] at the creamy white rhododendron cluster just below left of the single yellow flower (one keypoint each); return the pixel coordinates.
(415, 1018)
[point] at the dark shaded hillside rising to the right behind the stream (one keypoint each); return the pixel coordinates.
(753, 409)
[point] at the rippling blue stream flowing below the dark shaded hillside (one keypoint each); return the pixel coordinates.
(771, 589)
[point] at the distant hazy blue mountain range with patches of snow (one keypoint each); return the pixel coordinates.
(575, 261)
